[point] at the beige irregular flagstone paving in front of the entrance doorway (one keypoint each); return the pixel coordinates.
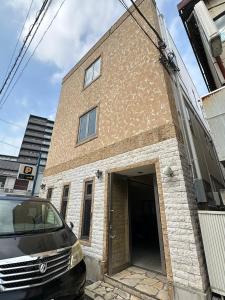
(132, 280)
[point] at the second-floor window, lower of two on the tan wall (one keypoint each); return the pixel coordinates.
(87, 126)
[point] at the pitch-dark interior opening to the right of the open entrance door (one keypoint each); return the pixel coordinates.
(144, 237)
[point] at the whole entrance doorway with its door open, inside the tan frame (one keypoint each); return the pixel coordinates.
(135, 233)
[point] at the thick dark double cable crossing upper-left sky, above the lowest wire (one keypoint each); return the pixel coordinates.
(24, 44)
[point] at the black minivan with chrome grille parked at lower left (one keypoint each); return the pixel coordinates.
(40, 257)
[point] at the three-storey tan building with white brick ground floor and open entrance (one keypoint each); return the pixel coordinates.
(129, 144)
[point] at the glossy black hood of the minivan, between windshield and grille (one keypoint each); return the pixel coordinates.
(14, 246)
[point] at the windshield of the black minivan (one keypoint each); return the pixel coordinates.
(28, 216)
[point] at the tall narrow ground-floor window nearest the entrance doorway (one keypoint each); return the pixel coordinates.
(87, 210)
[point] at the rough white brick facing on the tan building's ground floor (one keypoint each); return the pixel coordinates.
(183, 232)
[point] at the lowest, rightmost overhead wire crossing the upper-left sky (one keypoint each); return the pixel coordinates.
(32, 54)
